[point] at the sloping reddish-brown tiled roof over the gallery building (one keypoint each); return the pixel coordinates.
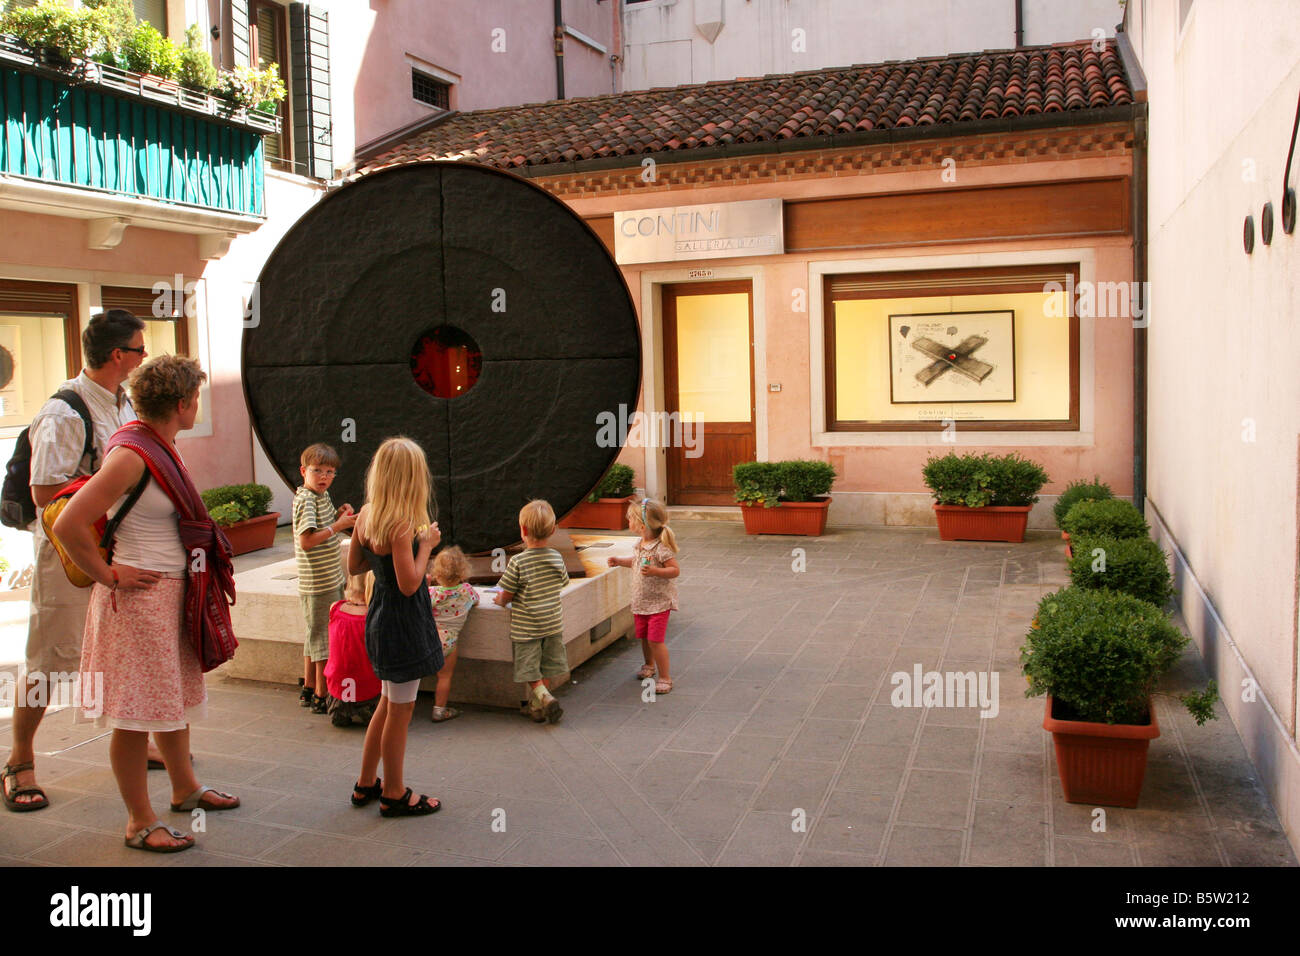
(1000, 85)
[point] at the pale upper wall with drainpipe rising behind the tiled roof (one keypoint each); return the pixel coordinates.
(664, 46)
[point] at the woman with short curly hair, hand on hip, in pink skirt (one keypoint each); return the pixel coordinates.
(138, 659)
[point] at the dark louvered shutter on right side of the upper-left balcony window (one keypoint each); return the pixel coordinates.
(309, 46)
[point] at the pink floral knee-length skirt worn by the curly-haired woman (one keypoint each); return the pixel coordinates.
(137, 672)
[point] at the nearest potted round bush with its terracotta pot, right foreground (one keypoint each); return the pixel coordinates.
(1098, 656)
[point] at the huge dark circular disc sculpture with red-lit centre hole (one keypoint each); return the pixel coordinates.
(445, 279)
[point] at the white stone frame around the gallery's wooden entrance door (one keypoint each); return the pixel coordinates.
(653, 353)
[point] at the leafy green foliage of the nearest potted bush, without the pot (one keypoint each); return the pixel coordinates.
(1100, 654)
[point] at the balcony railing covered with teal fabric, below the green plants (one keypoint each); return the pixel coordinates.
(94, 127)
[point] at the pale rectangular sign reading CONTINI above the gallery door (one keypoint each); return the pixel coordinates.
(718, 231)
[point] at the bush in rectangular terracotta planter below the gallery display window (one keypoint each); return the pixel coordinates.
(983, 498)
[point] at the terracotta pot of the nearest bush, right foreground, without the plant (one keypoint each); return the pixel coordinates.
(1102, 764)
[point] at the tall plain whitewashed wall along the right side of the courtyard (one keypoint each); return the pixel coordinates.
(1224, 396)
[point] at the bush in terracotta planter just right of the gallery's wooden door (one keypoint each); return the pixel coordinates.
(783, 498)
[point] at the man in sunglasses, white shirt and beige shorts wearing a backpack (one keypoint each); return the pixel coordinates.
(114, 348)
